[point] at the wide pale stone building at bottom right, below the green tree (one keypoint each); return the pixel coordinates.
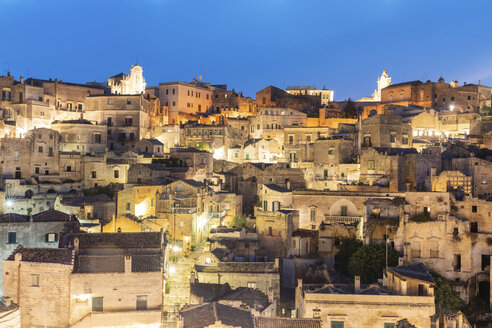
(409, 294)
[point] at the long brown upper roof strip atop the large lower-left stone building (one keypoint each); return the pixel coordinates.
(123, 240)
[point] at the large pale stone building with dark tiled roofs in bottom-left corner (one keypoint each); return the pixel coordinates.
(83, 285)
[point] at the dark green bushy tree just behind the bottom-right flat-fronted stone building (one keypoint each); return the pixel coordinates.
(369, 261)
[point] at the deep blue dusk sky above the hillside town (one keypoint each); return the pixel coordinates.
(250, 44)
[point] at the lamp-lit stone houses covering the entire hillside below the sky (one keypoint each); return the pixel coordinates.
(191, 205)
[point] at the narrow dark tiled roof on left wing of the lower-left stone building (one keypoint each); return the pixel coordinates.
(43, 255)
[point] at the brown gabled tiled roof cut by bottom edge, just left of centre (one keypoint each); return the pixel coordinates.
(207, 314)
